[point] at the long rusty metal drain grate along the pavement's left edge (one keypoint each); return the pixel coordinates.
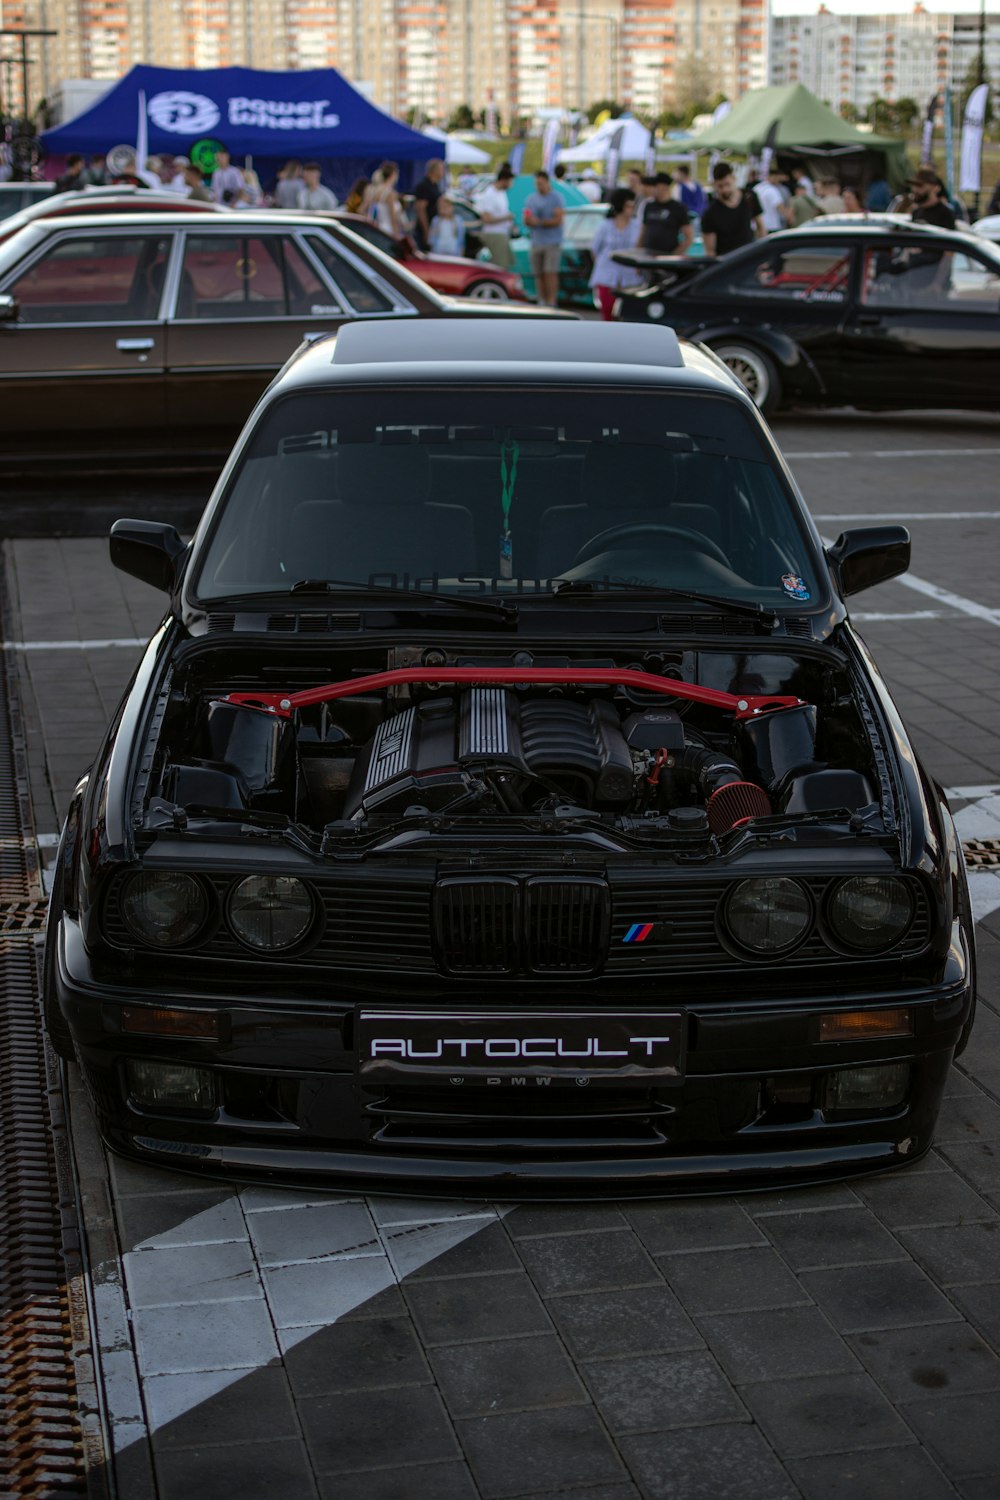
(41, 1439)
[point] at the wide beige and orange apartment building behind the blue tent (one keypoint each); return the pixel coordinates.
(421, 55)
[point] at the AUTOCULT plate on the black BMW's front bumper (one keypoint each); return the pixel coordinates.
(518, 1049)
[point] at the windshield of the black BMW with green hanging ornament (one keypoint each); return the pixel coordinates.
(513, 493)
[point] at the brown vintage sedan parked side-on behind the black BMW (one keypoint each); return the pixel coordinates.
(151, 334)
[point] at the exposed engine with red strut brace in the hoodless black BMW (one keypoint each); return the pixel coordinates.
(446, 752)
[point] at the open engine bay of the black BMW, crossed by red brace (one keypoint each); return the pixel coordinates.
(442, 742)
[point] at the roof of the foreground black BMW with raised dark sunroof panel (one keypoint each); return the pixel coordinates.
(464, 352)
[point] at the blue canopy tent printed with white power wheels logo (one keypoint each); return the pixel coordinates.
(314, 115)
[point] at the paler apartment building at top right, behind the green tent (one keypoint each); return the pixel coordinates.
(855, 59)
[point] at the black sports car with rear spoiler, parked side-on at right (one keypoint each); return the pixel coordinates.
(851, 311)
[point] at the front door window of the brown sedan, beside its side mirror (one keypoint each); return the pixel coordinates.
(95, 280)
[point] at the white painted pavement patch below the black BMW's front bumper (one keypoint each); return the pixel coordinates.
(191, 1345)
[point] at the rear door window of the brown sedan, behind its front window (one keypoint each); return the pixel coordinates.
(247, 277)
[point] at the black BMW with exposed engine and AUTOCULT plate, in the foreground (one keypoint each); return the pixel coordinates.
(507, 803)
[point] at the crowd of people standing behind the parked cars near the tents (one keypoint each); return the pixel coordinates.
(653, 212)
